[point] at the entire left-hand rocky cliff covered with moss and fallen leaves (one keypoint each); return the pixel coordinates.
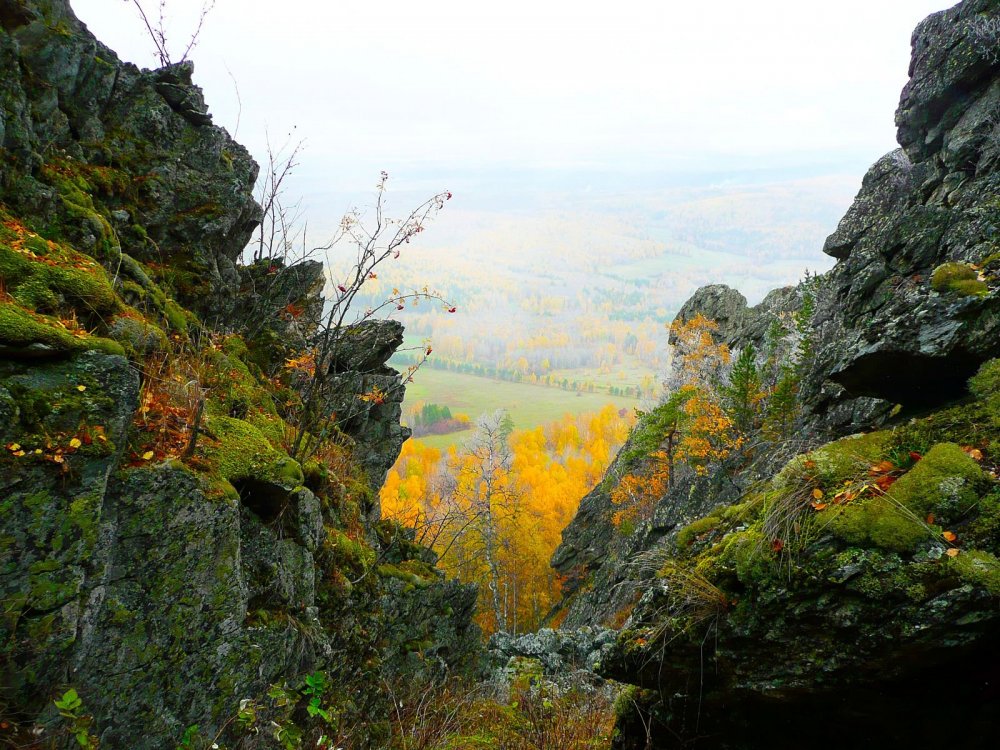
(161, 552)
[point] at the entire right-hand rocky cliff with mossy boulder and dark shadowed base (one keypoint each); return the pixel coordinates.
(837, 586)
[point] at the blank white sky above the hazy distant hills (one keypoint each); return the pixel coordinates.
(465, 85)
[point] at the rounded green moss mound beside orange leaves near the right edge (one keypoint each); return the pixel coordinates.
(946, 482)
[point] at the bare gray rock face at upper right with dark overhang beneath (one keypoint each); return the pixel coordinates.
(883, 329)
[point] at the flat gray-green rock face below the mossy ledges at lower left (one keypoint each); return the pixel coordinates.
(125, 579)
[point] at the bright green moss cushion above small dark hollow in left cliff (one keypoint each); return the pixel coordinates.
(240, 451)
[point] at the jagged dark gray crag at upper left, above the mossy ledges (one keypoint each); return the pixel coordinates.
(118, 158)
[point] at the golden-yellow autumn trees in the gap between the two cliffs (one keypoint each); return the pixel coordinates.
(505, 545)
